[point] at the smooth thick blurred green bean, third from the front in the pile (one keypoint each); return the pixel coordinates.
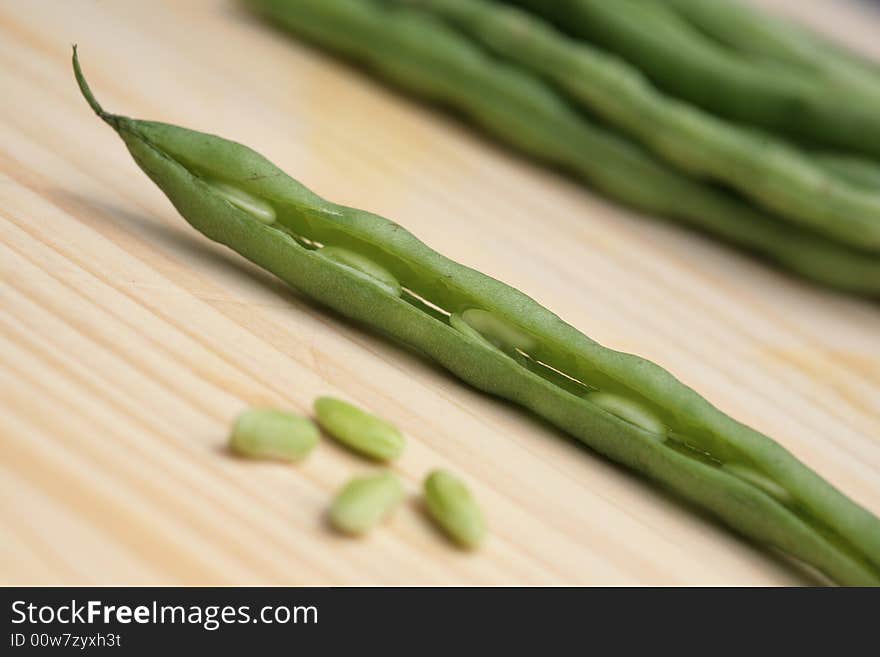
(691, 65)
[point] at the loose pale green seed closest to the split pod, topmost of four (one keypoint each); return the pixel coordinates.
(359, 430)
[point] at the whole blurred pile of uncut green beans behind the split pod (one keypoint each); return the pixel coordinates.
(700, 111)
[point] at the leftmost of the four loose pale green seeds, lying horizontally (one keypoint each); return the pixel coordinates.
(263, 433)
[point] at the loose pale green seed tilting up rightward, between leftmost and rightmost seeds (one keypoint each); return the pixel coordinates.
(365, 501)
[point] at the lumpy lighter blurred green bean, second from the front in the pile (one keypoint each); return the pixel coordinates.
(765, 169)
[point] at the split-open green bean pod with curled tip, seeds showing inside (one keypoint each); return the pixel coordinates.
(504, 343)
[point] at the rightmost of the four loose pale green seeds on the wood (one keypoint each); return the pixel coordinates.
(454, 509)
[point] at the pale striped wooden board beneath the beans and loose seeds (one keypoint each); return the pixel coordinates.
(128, 342)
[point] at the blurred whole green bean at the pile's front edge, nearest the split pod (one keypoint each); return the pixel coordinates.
(425, 56)
